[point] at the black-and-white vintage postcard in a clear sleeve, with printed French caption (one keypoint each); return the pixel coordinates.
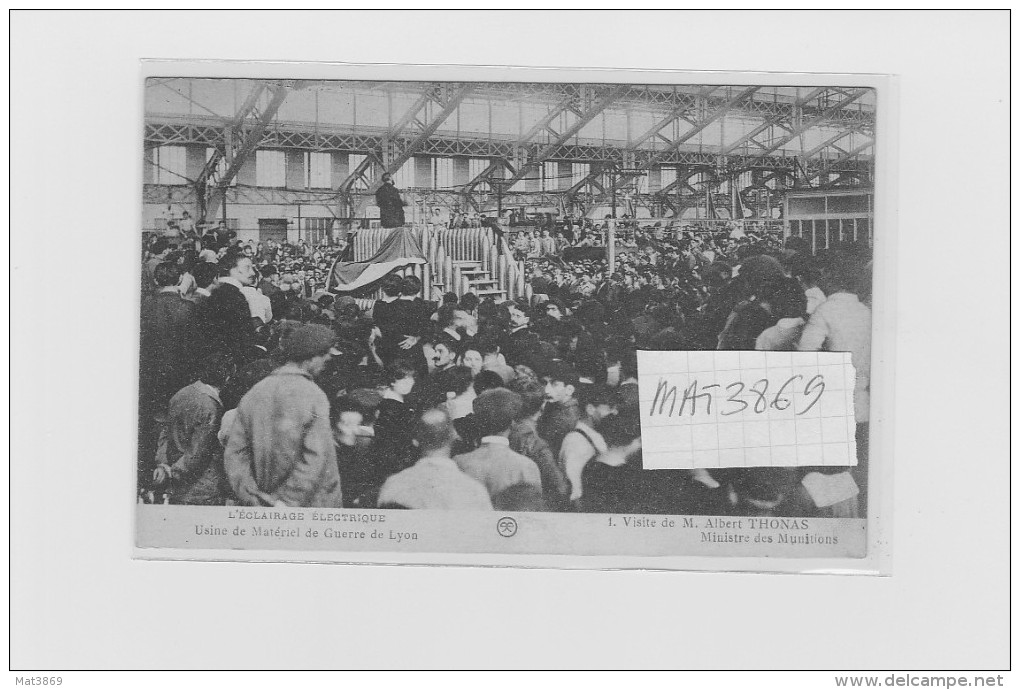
(493, 317)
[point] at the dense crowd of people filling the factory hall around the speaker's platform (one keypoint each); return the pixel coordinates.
(261, 388)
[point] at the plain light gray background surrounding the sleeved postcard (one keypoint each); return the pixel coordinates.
(80, 602)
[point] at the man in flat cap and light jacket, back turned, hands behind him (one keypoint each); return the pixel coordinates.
(281, 451)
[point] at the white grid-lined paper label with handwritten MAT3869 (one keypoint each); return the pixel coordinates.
(746, 410)
